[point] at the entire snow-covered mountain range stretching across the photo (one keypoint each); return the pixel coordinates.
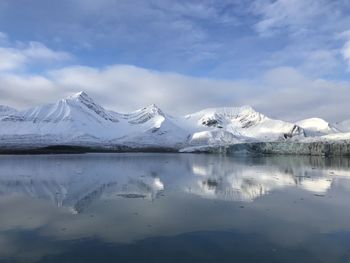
(79, 121)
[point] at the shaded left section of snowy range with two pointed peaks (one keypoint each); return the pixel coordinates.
(79, 120)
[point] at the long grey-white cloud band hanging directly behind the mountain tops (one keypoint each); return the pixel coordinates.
(282, 92)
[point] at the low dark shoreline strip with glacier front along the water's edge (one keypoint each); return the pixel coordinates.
(256, 148)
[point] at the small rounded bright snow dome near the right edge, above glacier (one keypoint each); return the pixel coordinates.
(317, 127)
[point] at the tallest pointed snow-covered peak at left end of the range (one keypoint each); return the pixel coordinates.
(73, 117)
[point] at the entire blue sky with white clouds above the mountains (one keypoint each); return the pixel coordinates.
(289, 59)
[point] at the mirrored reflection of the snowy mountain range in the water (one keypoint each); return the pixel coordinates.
(75, 181)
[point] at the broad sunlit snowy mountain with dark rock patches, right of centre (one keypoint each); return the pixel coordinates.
(232, 125)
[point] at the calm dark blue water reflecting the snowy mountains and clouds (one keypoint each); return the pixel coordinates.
(173, 208)
